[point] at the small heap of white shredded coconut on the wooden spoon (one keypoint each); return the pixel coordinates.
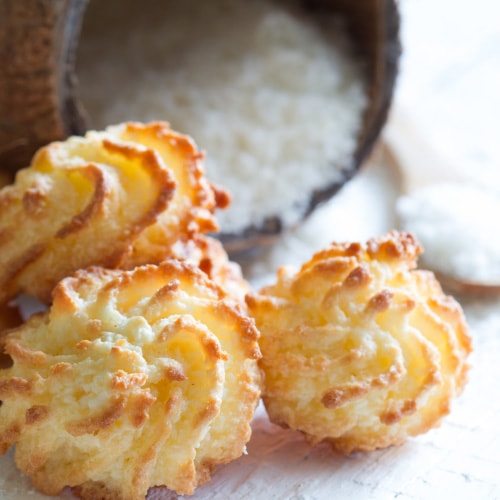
(457, 226)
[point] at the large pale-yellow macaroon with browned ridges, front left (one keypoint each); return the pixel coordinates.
(131, 379)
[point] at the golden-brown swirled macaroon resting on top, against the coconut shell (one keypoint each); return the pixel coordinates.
(116, 198)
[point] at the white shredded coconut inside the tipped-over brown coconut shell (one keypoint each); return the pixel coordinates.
(272, 95)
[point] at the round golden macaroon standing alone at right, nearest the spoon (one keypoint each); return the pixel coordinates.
(359, 347)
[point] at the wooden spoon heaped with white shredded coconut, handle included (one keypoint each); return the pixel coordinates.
(454, 219)
